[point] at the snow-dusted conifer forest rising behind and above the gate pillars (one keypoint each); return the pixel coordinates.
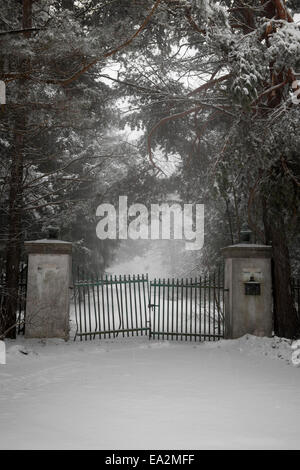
(150, 98)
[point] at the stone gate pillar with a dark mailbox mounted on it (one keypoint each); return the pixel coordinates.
(249, 300)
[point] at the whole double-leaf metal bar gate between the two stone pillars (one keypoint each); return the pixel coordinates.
(172, 309)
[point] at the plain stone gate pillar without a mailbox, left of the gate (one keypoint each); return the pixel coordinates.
(49, 278)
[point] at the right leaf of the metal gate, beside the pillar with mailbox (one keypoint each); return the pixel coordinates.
(188, 309)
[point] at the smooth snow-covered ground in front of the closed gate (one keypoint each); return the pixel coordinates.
(141, 394)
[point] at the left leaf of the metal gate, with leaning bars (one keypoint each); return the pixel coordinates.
(109, 306)
